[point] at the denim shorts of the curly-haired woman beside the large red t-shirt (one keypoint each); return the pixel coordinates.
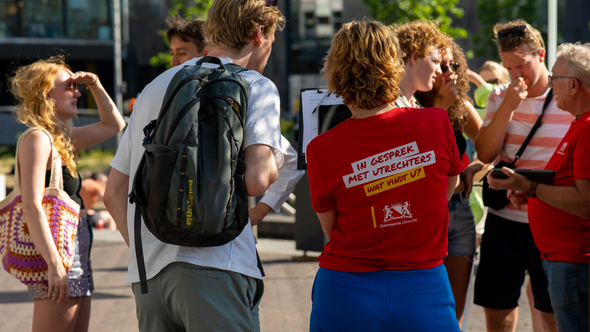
(461, 228)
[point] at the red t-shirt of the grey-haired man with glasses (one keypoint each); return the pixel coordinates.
(559, 235)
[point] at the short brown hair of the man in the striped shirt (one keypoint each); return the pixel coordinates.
(523, 33)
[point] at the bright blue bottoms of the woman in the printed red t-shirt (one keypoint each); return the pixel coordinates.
(416, 300)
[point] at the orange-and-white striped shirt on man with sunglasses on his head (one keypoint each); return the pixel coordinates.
(555, 124)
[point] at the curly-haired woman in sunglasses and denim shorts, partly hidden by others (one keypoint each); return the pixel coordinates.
(464, 118)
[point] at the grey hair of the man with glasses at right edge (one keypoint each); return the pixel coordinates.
(577, 60)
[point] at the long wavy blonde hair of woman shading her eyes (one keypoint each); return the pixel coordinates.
(31, 85)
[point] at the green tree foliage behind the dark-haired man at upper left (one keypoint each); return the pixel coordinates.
(190, 10)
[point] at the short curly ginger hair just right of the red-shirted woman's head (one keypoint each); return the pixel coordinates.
(419, 37)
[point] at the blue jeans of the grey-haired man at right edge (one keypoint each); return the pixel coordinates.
(568, 288)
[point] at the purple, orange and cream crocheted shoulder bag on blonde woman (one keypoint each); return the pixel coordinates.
(19, 256)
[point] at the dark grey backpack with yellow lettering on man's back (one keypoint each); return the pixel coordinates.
(189, 186)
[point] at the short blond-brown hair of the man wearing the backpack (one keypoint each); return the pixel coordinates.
(233, 23)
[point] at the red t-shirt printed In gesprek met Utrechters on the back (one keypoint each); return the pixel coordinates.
(386, 176)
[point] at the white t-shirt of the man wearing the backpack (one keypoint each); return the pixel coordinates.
(262, 127)
